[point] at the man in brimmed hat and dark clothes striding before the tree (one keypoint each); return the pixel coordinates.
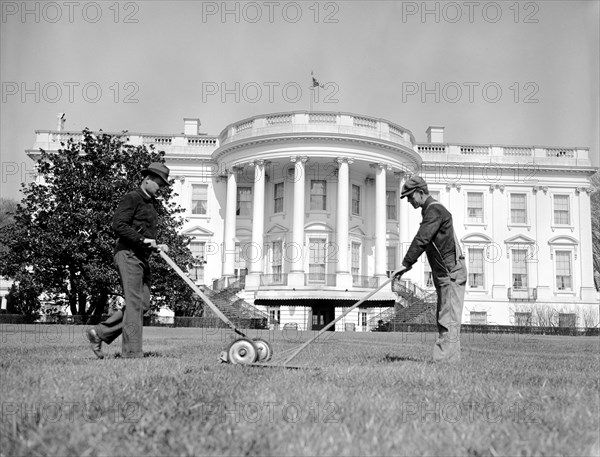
(134, 222)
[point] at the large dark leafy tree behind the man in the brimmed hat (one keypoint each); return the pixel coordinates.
(61, 242)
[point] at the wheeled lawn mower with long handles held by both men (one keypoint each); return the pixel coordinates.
(247, 351)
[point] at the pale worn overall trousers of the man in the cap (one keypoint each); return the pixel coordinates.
(450, 290)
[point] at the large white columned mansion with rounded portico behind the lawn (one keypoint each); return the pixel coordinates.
(305, 206)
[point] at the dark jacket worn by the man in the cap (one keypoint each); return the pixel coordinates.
(436, 228)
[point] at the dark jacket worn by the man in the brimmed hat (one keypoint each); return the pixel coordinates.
(135, 220)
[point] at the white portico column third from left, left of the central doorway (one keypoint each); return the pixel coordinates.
(296, 252)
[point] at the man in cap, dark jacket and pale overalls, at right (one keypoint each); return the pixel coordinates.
(436, 237)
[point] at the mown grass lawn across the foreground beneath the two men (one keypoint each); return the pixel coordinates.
(363, 394)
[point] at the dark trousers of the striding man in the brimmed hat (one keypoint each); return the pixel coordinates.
(135, 280)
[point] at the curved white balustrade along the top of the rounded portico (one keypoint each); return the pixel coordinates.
(305, 122)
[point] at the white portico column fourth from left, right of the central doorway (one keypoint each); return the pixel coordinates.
(343, 216)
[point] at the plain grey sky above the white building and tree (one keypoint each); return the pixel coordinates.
(506, 72)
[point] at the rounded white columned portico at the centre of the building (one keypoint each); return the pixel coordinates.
(346, 161)
